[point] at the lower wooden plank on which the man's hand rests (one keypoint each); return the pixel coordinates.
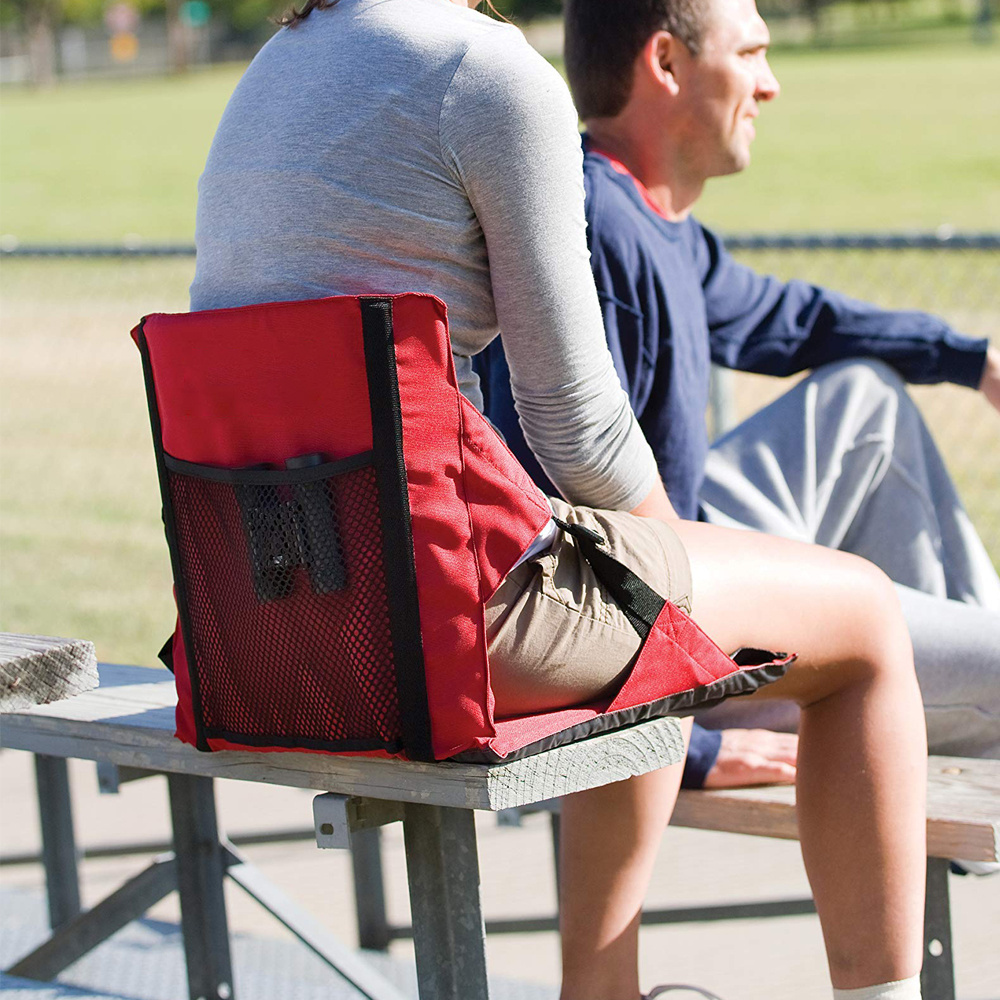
(963, 810)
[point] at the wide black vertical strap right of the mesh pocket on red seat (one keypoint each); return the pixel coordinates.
(397, 532)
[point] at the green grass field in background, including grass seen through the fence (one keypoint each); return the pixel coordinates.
(859, 140)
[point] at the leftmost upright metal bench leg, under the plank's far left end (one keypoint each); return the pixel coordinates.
(55, 809)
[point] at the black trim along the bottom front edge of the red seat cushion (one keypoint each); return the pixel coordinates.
(682, 703)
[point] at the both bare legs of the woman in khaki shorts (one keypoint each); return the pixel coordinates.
(861, 779)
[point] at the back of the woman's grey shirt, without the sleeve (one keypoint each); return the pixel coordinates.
(316, 154)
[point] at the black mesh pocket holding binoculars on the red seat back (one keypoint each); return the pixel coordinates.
(287, 607)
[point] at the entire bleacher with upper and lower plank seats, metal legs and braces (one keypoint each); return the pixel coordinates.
(128, 723)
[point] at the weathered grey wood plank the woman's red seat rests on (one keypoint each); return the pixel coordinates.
(129, 720)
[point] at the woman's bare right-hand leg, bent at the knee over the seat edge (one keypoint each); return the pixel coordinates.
(862, 745)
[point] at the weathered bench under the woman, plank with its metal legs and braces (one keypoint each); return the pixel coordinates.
(128, 721)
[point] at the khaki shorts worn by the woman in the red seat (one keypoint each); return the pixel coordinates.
(555, 636)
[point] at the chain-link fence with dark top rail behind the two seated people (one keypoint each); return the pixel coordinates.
(83, 550)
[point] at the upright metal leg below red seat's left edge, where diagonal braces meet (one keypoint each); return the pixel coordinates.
(200, 870)
